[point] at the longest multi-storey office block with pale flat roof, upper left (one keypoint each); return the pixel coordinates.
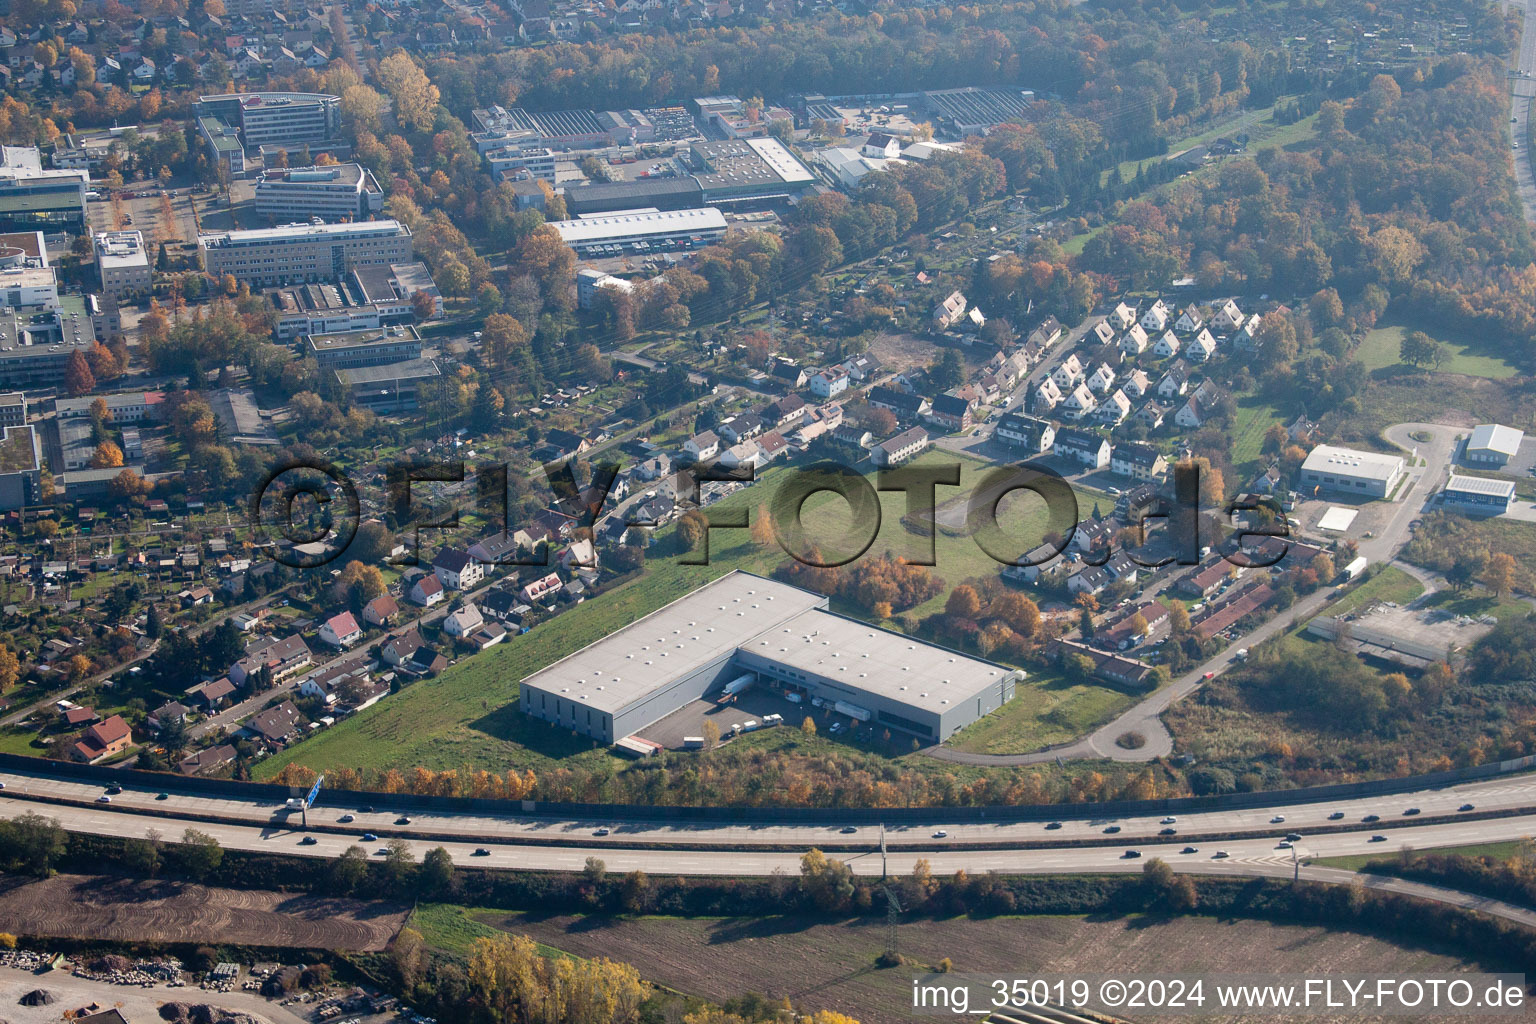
(303, 253)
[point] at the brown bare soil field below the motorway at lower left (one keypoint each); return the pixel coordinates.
(134, 910)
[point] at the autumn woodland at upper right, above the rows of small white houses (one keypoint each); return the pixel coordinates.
(1406, 199)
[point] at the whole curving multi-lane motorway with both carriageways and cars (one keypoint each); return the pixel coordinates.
(1471, 813)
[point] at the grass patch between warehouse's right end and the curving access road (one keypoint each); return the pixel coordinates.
(1047, 710)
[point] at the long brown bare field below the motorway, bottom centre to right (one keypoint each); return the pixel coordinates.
(832, 966)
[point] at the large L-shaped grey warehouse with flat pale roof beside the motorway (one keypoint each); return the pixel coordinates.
(744, 624)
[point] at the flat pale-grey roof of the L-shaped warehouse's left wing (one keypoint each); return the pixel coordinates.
(674, 641)
